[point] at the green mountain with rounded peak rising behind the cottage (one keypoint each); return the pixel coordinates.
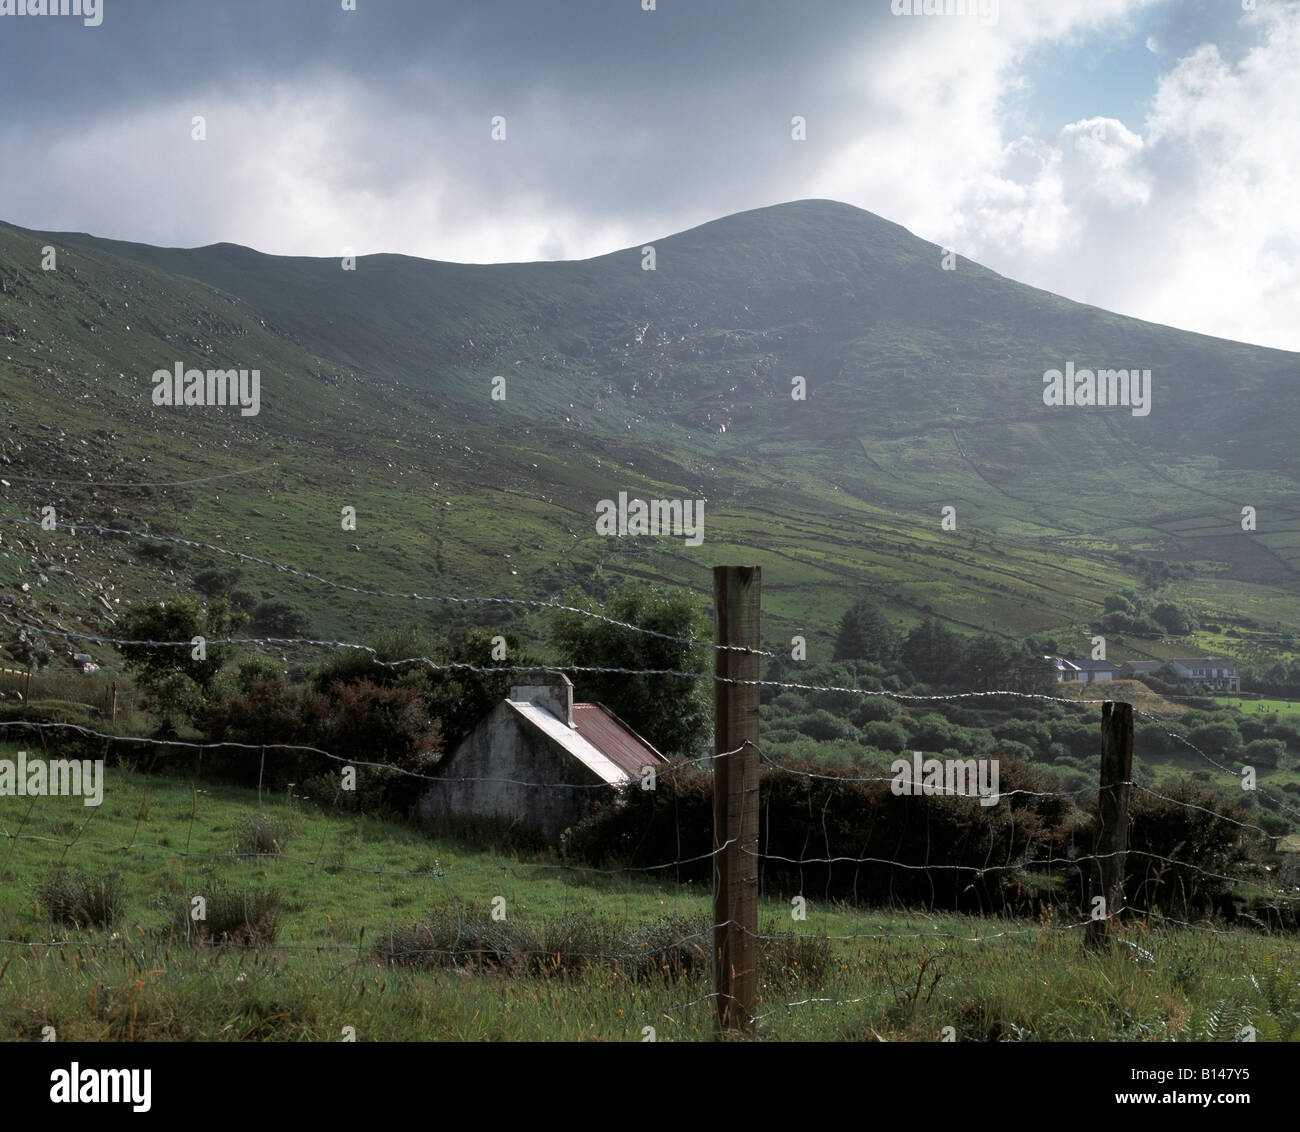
(925, 389)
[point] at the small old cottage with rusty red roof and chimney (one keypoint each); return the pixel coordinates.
(539, 760)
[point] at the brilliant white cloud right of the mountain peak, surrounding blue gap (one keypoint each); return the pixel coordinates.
(1186, 219)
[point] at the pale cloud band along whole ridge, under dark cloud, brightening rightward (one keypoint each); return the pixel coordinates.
(1188, 218)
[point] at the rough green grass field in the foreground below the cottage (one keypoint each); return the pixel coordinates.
(614, 952)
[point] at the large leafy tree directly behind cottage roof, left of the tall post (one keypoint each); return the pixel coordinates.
(671, 712)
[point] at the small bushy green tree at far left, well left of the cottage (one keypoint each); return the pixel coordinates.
(177, 676)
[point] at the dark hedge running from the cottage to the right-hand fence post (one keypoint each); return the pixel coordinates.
(804, 819)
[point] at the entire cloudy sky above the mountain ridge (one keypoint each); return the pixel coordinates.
(1138, 155)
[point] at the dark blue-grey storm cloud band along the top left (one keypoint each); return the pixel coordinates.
(151, 50)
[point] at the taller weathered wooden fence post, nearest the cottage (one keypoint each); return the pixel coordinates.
(736, 598)
